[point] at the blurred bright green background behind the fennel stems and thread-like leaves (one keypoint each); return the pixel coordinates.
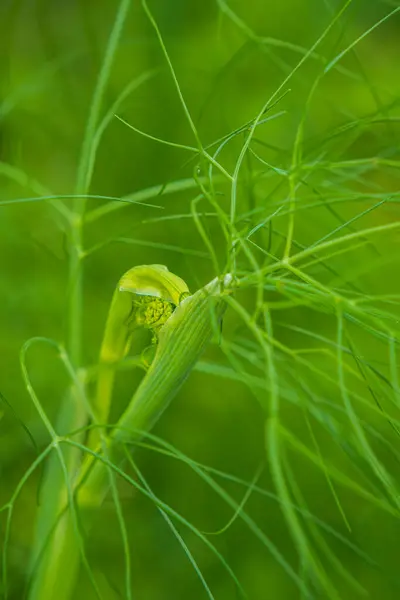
(229, 59)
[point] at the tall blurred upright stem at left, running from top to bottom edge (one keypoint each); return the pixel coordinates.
(55, 556)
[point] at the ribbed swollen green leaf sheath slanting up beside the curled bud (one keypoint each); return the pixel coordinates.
(181, 342)
